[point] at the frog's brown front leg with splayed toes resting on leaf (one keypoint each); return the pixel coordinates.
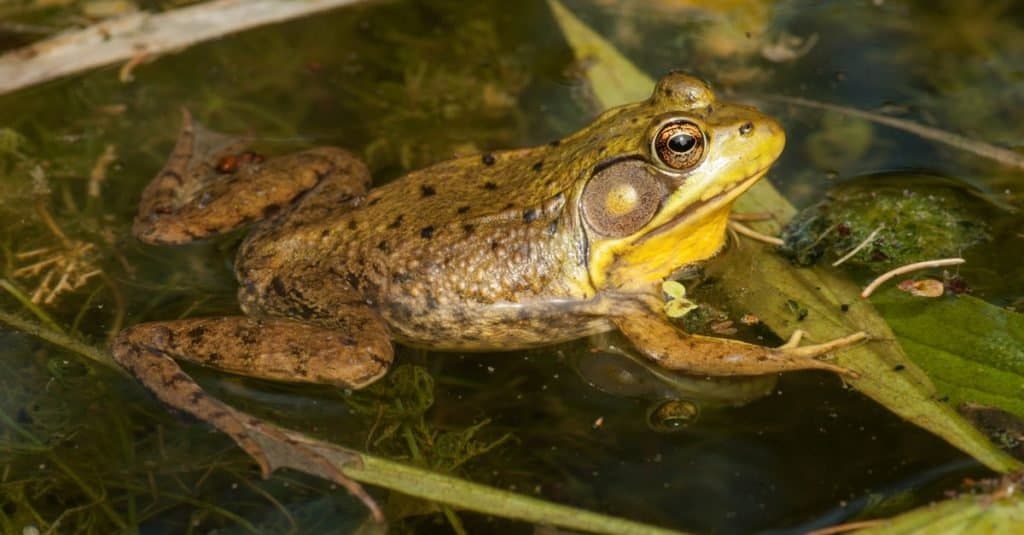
(652, 334)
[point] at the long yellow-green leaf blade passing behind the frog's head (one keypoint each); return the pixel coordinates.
(767, 285)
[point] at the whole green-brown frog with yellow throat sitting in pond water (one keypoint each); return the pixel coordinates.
(503, 251)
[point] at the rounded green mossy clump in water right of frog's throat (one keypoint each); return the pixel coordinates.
(912, 220)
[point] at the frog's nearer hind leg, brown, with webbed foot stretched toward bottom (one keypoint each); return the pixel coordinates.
(273, 349)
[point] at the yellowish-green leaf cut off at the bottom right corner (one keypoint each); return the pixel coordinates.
(967, 515)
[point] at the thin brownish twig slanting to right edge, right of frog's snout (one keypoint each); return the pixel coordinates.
(990, 151)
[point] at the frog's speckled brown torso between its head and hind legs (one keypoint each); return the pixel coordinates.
(436, 253)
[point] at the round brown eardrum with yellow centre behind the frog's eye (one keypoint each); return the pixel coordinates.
(621, 199)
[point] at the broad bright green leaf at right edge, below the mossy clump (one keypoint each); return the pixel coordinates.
(973, 351)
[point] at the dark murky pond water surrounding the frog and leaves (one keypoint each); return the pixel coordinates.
(409, 84)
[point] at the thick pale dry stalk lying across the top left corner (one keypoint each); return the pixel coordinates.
(137, 35)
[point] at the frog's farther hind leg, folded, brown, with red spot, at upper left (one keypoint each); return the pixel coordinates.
(212, 185)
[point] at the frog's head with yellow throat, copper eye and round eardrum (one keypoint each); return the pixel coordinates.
(663, 178)
